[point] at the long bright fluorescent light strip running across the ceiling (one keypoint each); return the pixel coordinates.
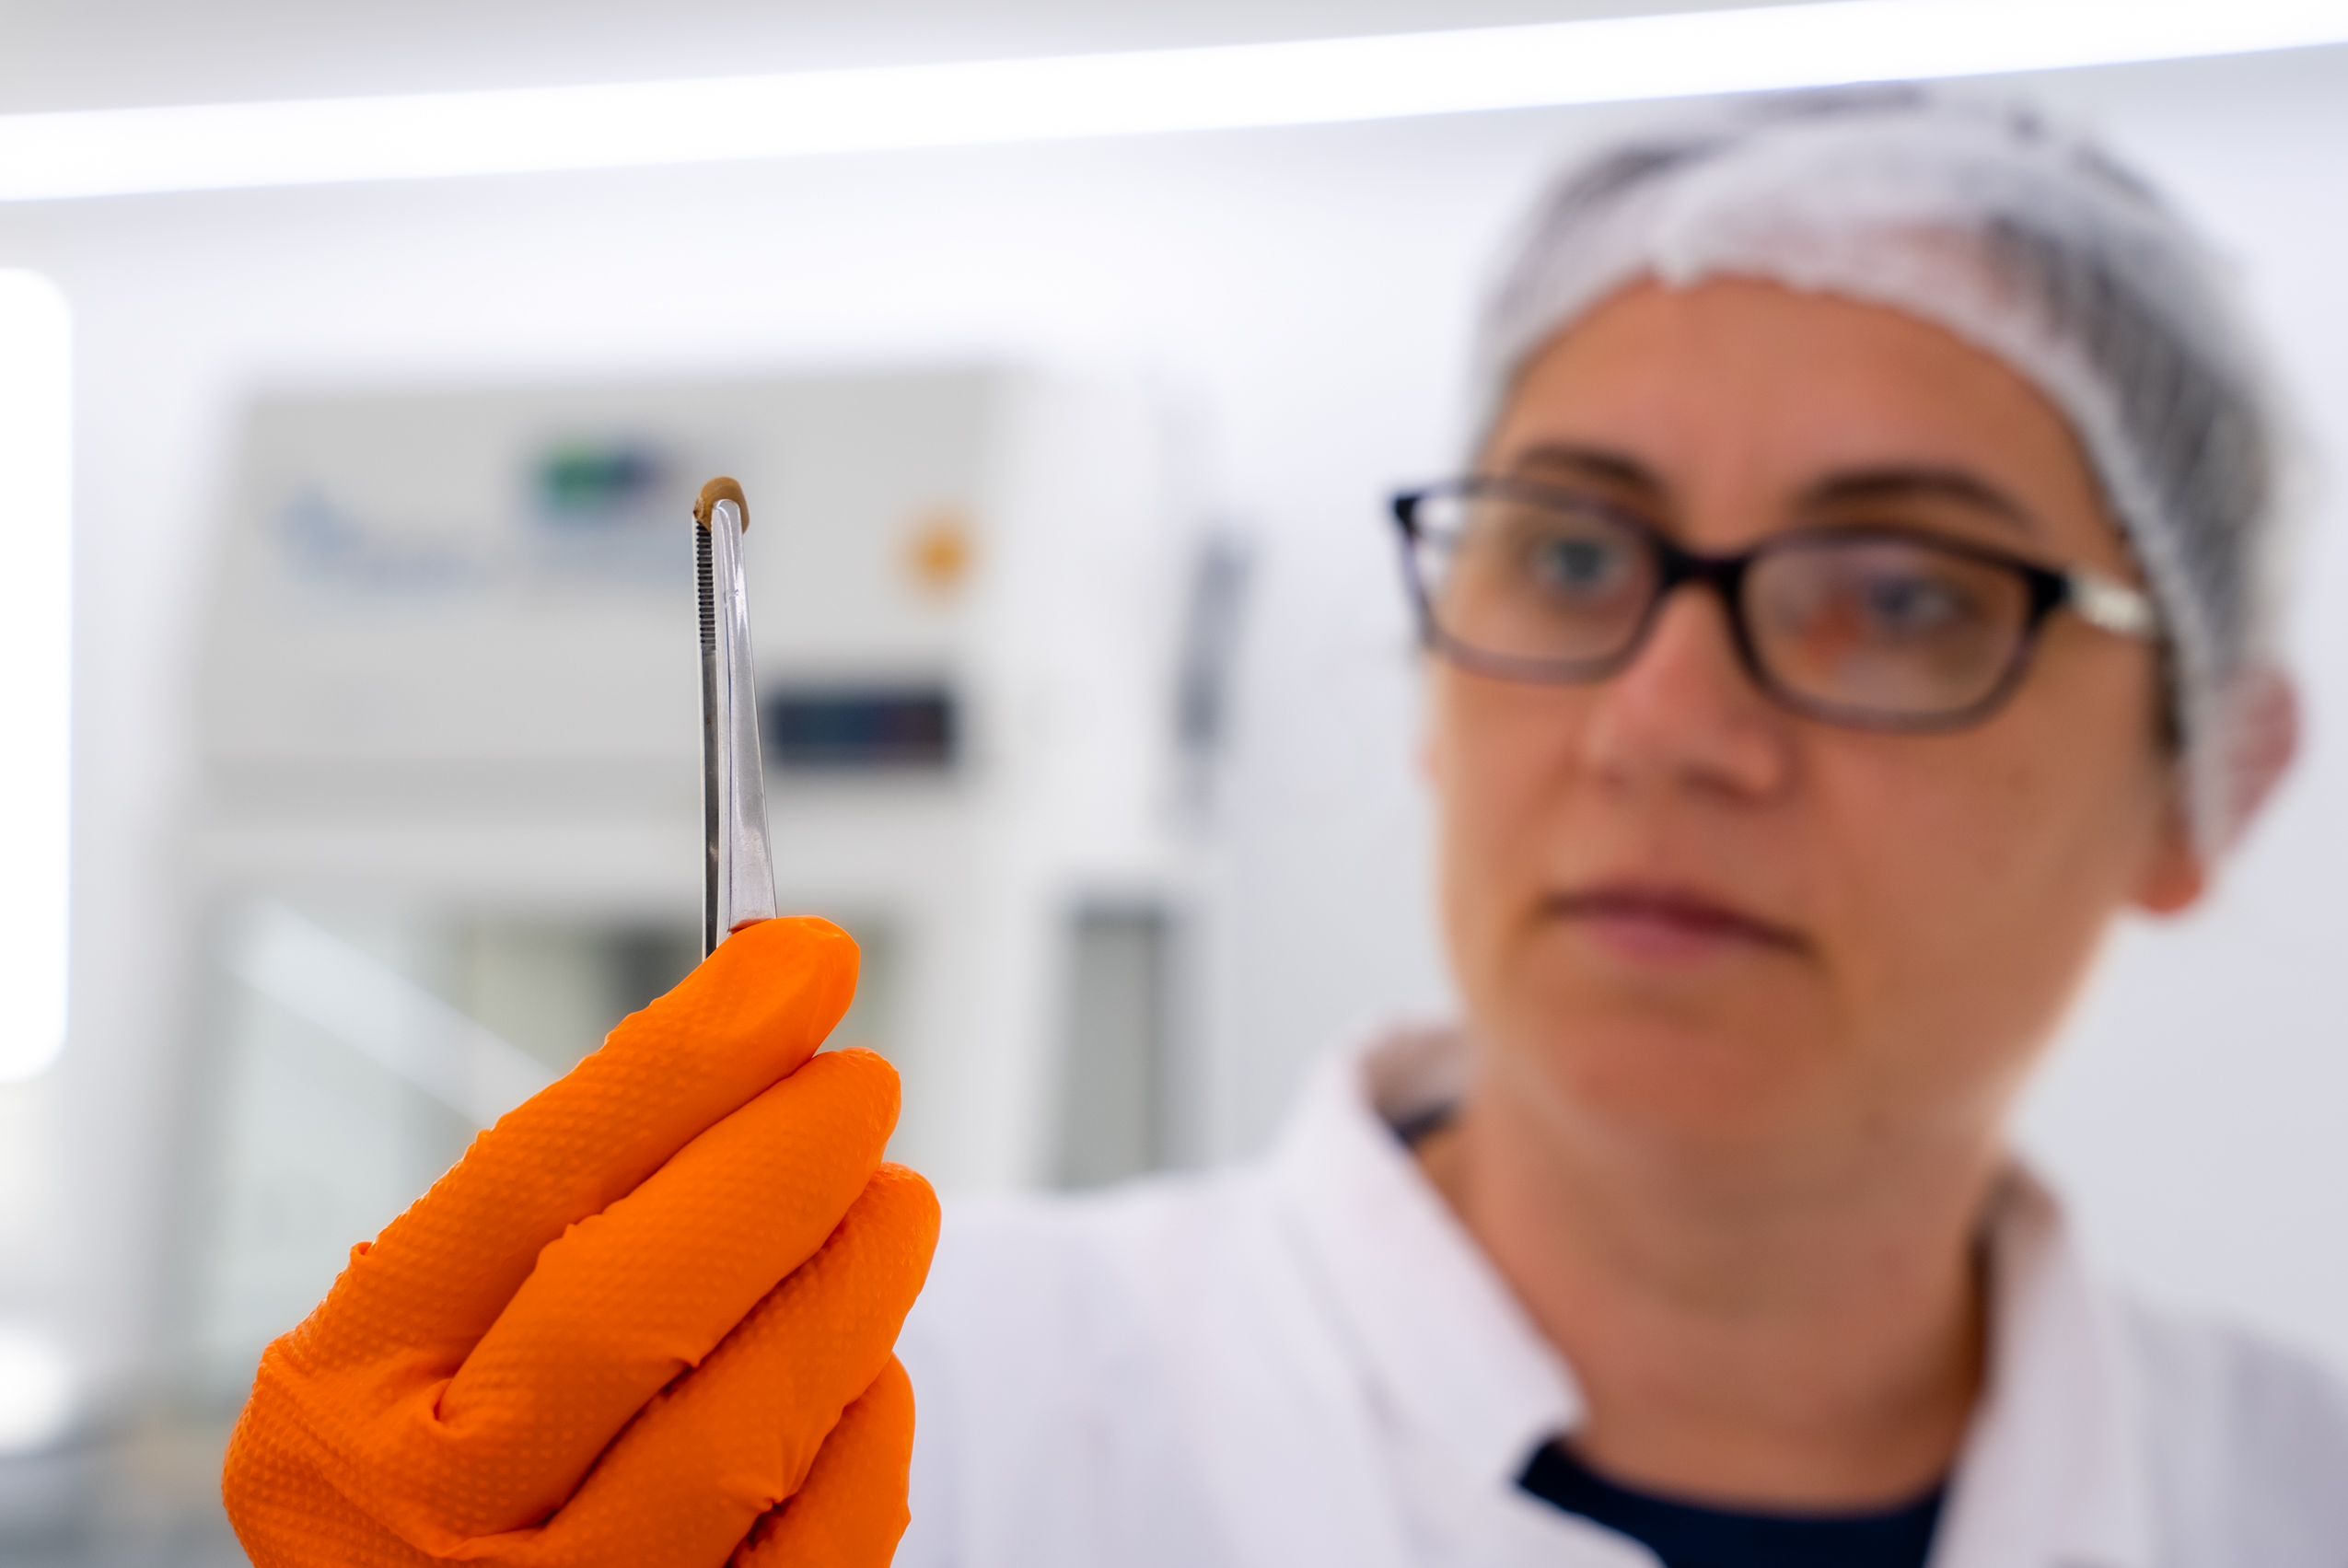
(1121, 95)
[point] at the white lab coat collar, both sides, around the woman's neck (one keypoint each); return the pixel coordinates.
(2051, 1473)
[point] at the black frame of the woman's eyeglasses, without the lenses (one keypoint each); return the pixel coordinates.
(2096, 597)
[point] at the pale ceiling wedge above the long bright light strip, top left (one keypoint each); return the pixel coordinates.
(135, 53)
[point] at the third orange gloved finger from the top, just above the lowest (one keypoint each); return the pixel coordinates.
(731, 1440)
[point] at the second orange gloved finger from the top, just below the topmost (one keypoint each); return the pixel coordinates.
(640, 1295)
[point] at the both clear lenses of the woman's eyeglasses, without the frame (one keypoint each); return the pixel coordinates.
(1865, 626)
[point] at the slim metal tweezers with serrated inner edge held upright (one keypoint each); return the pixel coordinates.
(738, 884)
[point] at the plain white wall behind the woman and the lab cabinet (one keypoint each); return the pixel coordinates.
(1309, 295)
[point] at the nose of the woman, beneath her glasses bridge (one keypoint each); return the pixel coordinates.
(1687, 715)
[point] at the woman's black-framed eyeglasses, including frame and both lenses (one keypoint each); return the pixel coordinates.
(1877, 628)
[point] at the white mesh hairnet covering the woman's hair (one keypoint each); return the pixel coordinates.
(2023, 241)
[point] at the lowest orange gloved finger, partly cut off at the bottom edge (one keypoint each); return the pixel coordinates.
(851, 1510)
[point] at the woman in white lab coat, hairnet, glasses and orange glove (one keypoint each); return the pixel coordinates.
(1854, 611)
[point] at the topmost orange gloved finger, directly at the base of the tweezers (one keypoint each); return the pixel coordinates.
(438, 1278)
